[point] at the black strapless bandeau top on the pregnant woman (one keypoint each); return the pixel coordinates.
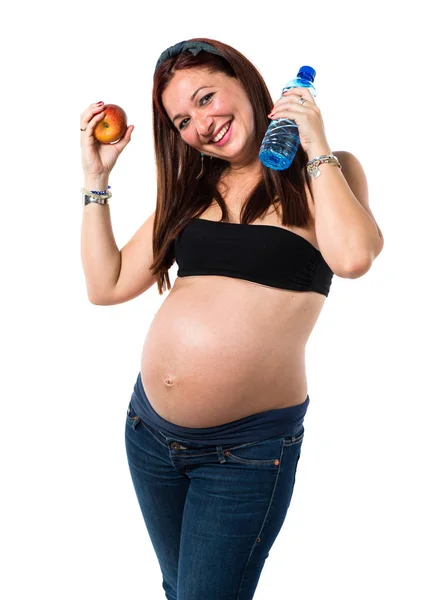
(266, 254)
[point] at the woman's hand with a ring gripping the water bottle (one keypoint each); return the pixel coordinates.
(307, 117)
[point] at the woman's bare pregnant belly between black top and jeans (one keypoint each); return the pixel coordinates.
(217, 351)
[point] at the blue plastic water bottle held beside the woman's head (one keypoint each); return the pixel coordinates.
(281, 139)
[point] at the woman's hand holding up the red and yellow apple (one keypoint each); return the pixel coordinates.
(98, 159)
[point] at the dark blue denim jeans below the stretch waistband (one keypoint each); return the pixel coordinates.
(212, 512)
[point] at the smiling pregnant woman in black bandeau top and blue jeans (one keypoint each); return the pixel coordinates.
(214, 427)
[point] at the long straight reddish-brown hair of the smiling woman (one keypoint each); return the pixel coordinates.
(180, 197)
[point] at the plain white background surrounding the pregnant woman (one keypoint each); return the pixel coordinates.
(360, 523)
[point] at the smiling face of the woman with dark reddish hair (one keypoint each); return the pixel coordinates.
(221, 101)
